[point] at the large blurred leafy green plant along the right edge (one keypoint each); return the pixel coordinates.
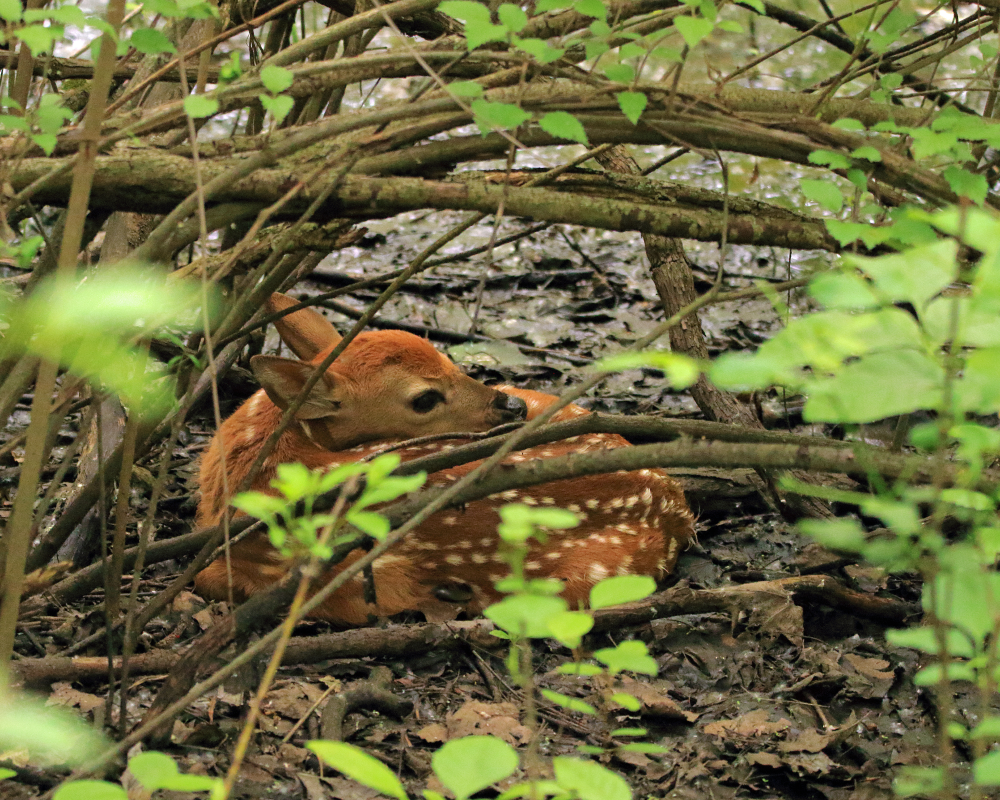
(915, 330)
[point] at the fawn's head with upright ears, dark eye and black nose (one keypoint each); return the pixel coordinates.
(385, 385)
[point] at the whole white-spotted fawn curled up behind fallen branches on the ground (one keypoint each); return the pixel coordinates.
(391, 385)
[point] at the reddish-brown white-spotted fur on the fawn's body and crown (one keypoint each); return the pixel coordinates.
(631, 522)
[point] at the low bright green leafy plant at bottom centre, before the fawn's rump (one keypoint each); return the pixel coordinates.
(532, 609)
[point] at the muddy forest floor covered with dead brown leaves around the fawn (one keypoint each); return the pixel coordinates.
(781, 700)
